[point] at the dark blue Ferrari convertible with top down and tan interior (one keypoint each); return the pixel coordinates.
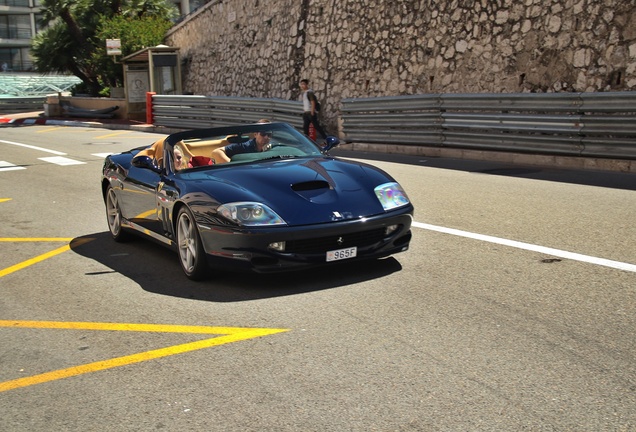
(280, 203)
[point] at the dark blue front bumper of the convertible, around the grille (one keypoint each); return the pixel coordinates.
(305, 246)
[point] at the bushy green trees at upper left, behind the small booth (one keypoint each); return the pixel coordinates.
(75, 39)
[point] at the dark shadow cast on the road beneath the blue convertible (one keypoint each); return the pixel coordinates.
(156, 269)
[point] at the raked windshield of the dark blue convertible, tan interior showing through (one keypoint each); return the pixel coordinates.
(238, 144)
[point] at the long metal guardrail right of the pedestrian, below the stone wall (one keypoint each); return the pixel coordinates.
(573, 124)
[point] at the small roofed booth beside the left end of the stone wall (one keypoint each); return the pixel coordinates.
(156, 69)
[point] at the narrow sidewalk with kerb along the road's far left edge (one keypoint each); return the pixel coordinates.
(37, 118)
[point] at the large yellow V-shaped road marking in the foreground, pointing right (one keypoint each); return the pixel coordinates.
(230, 334)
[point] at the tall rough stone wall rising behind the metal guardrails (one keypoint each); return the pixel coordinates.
(355, 48)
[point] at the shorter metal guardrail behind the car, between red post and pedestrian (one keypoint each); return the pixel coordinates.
(196, 112)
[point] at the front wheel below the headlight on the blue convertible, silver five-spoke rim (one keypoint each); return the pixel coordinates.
(191, 253)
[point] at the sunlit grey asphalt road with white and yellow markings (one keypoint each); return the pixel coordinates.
(514, 309)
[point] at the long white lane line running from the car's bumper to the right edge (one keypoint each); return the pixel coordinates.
(527, 246)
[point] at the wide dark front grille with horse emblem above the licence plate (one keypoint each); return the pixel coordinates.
(324, 244)
